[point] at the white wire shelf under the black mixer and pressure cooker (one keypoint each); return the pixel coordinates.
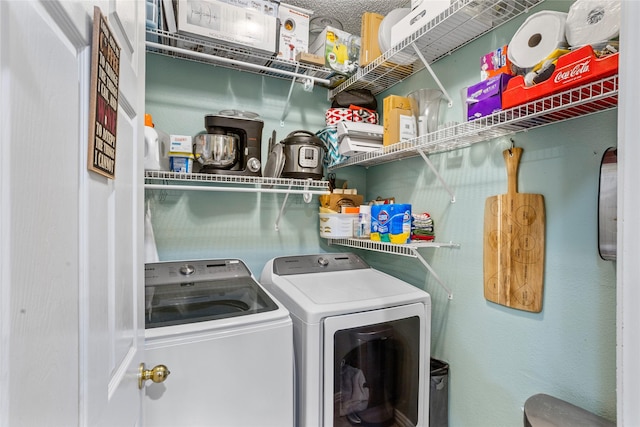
(160, 180)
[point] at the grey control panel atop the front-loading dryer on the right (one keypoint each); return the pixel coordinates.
(308, 264)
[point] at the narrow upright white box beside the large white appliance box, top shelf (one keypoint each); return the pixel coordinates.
(294, 31)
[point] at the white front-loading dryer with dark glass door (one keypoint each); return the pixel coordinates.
(362, 341)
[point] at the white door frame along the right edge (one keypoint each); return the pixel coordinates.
(628, 269)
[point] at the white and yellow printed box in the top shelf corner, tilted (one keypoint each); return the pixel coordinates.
(340, 49)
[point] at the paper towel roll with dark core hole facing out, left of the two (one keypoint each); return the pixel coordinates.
(537, 38)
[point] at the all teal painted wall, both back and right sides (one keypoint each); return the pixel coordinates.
(498, 356)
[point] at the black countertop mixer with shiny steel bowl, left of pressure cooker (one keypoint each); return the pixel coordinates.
(232, 144)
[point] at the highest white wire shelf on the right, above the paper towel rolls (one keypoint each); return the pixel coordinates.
(463, 22)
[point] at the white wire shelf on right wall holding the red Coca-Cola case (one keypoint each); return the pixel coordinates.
(588, 99)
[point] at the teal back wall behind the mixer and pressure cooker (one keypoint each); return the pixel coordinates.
(189, 225)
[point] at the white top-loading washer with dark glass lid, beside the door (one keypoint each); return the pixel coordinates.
(226, 341)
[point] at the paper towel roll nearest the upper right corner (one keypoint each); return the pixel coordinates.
(591, 22)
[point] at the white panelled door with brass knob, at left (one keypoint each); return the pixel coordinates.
(71, 261)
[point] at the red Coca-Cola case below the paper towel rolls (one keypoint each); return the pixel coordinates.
(573, 69)
